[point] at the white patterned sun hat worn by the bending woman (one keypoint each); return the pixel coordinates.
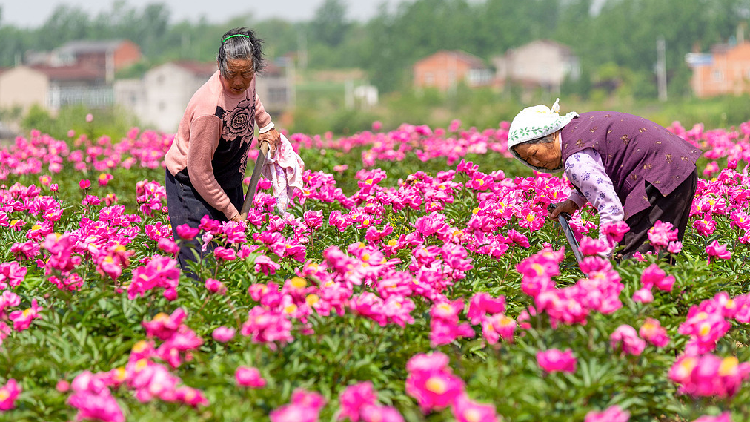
(534, 123)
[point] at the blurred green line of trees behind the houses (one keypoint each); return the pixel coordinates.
(614, 39)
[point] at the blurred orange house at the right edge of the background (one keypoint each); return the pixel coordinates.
(724, 71)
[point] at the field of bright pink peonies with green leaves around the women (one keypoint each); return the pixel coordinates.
(416, 277)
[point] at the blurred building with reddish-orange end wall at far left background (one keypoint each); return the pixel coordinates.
(105, 56)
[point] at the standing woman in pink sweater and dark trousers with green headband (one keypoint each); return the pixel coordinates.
(207, 160)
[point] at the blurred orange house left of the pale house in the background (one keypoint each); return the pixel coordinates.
(444, 70)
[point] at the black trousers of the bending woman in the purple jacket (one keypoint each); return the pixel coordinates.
(673, 208)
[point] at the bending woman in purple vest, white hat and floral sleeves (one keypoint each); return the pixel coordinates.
(629, 168)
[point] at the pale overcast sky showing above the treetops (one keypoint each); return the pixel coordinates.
(32, 13)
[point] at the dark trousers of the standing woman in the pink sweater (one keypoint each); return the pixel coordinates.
(186, 206)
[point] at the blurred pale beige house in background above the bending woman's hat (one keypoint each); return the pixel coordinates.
(540, 64)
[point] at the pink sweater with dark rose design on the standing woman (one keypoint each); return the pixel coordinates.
(198, 136)
